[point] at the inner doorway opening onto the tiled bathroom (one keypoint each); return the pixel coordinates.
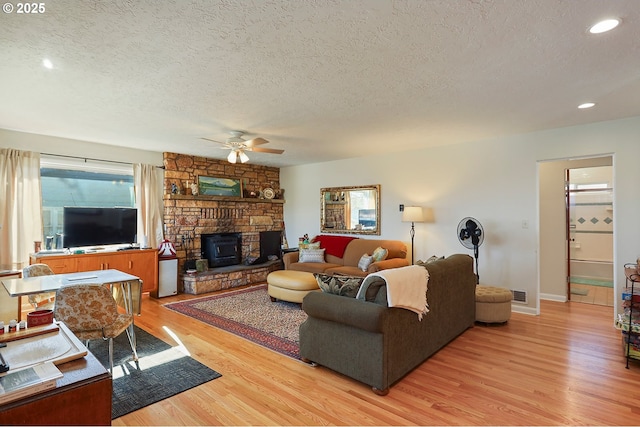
(589, 231)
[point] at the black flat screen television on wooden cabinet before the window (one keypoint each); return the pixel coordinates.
(84, 226)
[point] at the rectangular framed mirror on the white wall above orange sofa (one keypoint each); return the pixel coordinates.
(350, 210)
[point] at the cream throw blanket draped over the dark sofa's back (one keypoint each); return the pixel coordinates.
(406, 288)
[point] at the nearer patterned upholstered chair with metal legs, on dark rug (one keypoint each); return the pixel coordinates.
(90, 312)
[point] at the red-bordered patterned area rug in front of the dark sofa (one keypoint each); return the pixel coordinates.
(250, 314)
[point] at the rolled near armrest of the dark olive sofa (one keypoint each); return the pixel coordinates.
(359, 314)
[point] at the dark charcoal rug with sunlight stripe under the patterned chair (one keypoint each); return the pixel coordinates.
(161, 371)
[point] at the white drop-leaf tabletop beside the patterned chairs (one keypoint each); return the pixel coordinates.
(39, 284)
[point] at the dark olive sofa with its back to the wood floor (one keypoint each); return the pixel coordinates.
(378, 345)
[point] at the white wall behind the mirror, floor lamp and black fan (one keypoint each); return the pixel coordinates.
(495, 181)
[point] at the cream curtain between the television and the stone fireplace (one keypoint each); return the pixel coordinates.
(149, 203)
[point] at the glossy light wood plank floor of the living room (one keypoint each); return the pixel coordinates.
(564, 367)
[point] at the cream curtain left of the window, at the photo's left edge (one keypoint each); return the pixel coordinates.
(20, 207)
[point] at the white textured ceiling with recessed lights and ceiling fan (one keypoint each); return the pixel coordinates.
(322, 80)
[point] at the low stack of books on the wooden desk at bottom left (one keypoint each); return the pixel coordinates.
(19, 383)
